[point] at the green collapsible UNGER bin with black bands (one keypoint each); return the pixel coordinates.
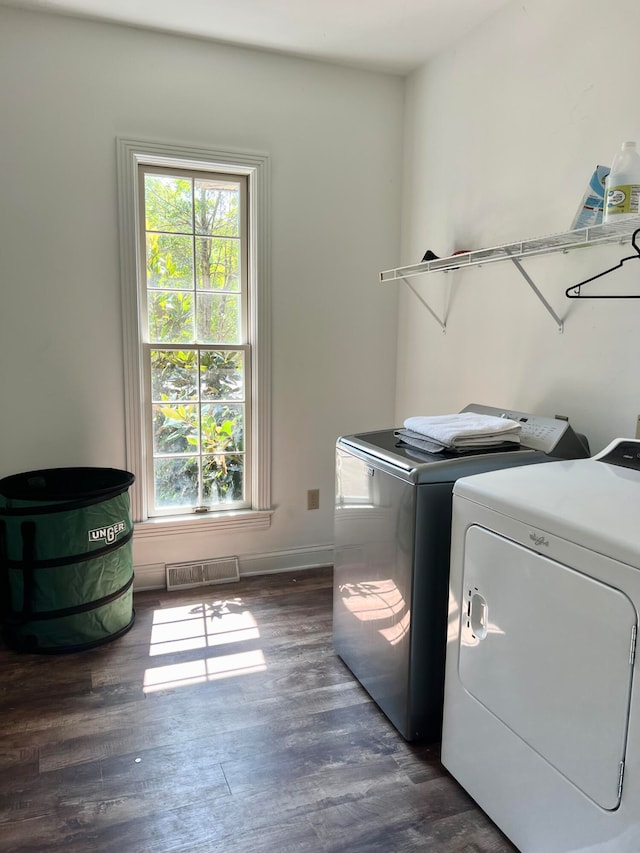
(66, 565)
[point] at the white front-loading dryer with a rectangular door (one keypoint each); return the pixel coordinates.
(542, 707)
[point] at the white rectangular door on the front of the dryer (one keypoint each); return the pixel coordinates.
(546, 649)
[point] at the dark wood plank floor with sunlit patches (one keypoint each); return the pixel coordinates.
(223, 721)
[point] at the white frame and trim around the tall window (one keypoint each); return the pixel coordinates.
(131, 153)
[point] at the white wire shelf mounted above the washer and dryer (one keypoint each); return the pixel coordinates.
(610, 232)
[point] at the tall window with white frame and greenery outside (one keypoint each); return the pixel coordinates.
(195, 290)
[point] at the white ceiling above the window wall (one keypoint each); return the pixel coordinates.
(393, 36)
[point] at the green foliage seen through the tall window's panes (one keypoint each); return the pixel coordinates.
(193, 287)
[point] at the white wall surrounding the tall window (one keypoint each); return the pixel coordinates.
(68, 88)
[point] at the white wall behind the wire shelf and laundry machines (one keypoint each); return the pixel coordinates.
(502, 134)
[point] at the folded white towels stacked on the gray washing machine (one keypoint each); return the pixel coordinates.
(464, 431)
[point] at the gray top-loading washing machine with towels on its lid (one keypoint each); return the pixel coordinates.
(391, 566)
